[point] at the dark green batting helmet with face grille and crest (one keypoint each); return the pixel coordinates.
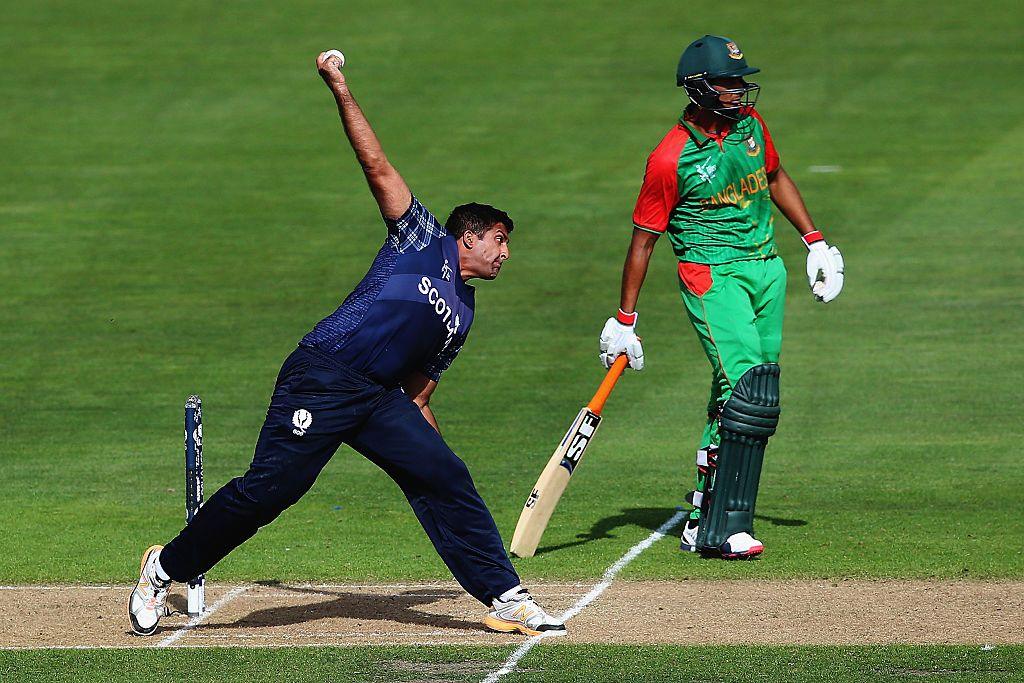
(712, 58)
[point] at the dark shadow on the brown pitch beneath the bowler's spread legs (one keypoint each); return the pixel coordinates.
(401, 608)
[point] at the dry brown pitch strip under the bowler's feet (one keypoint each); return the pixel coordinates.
(782, 613)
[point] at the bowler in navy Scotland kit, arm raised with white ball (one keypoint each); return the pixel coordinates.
(364, 376)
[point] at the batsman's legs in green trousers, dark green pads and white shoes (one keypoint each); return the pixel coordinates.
(736, 309)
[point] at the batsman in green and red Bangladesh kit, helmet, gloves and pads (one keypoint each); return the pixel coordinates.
(710, 185)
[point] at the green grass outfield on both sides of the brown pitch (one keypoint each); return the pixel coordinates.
(179, 207)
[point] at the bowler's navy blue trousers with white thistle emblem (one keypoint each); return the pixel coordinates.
(344, 407)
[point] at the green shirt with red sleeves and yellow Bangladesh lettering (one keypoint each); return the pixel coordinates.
(711, 194)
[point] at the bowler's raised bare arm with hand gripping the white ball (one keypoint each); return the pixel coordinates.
(388, 186)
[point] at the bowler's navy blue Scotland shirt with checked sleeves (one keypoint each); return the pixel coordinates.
(412, 311)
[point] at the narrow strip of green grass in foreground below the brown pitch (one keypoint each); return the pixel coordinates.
(554, 663)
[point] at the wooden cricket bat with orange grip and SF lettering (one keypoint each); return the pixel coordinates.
(556, 478)
